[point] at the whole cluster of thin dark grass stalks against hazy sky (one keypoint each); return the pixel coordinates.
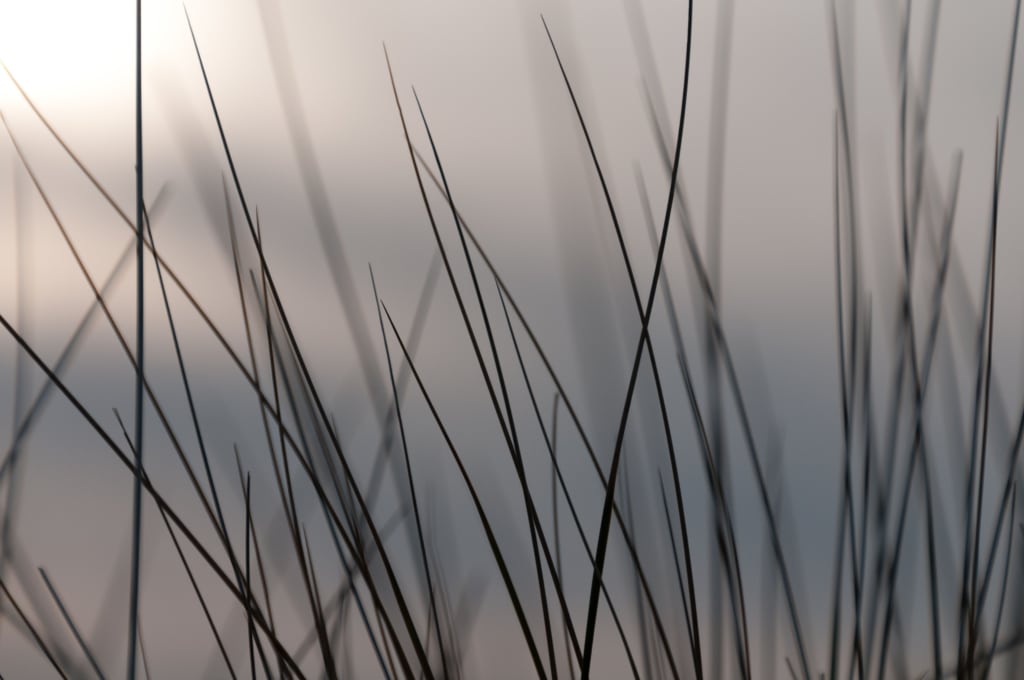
(374, 588)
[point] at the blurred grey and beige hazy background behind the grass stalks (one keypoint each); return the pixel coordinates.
(515, 155)
